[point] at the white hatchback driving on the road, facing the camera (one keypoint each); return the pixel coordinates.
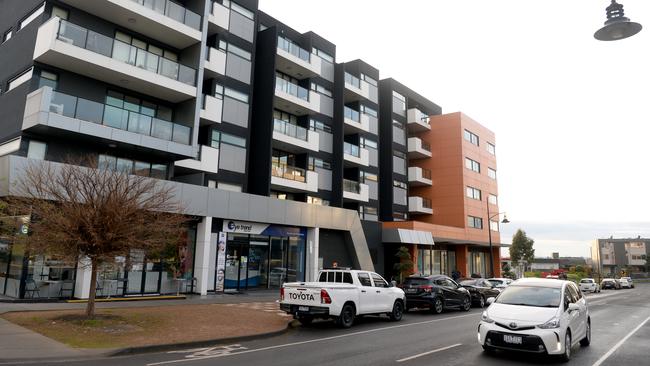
(538, 316)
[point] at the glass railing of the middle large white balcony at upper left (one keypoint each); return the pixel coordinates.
(118, 50)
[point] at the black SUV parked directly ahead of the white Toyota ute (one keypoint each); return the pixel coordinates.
(436, 292)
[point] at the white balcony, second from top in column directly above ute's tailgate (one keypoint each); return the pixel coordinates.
(300, 101)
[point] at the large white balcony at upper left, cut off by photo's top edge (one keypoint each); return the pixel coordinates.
(163, 20)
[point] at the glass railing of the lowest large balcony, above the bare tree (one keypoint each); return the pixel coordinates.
(108, 115)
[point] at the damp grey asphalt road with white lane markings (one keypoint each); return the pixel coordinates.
(620, 321)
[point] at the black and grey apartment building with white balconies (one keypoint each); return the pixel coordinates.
(286, 159)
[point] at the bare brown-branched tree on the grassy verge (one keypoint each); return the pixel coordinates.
(88, 215)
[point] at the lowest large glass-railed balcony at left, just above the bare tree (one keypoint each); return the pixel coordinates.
(52, 112)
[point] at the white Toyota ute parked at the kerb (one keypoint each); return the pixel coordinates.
(342, 294)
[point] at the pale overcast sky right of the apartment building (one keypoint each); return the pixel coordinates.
(571, 114)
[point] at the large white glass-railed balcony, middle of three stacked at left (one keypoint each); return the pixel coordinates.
(70, 47)
